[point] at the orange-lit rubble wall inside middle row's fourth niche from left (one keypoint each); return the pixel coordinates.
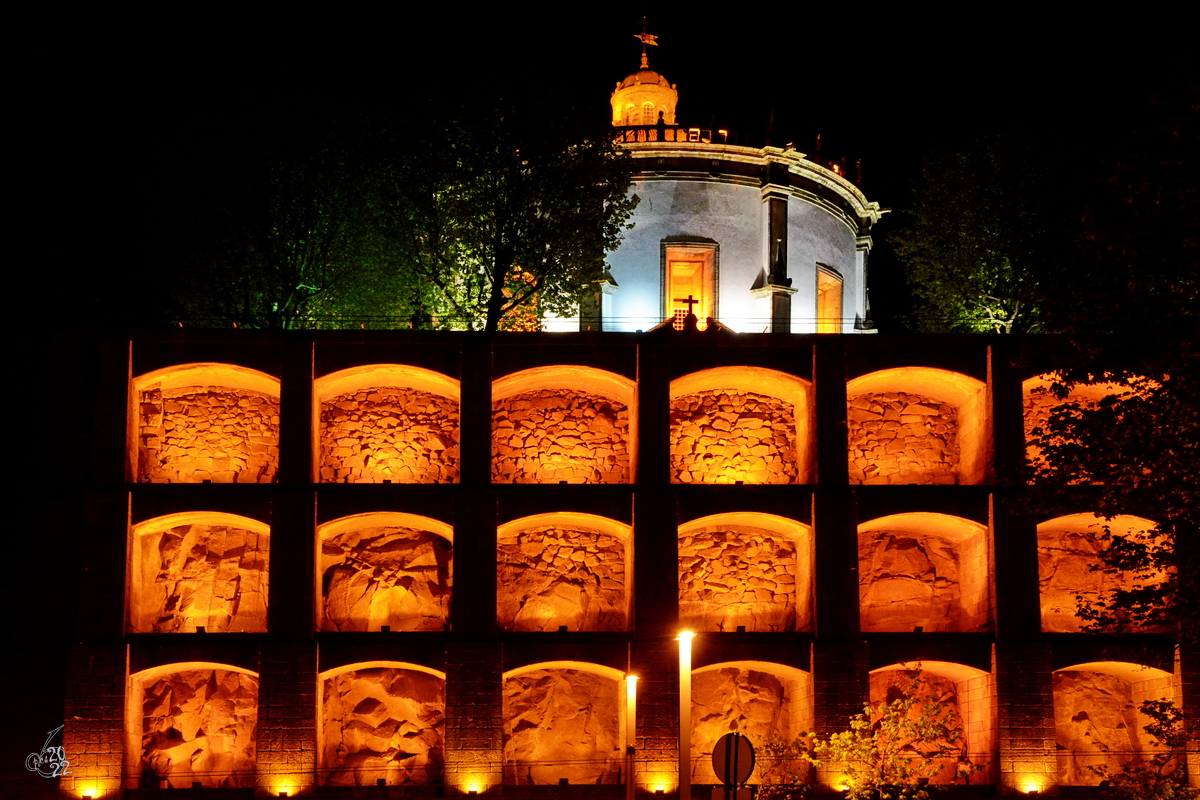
(735, 576)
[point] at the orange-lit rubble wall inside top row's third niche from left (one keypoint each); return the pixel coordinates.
(551, 436)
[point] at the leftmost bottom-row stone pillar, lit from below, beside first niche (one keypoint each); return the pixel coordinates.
(94, 733)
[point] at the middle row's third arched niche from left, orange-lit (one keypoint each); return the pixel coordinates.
(565, 570)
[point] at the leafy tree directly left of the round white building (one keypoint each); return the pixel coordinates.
(503, 207)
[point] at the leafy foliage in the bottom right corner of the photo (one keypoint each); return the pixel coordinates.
(1161, 777)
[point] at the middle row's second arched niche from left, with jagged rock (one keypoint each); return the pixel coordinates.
(385, 569)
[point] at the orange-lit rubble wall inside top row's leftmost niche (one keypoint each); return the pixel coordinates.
(207, 434)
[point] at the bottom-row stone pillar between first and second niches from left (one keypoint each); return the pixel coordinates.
(287, 719)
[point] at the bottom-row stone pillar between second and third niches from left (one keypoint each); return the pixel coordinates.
(475, 721)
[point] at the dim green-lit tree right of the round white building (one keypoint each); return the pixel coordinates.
(979, 240)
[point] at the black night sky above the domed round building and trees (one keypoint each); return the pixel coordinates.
(886, 88)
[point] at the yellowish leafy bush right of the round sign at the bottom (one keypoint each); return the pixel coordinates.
(890, 751)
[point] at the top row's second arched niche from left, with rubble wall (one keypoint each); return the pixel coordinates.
(387, 424)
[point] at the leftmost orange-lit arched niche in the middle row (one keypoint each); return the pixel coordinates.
(199, 570)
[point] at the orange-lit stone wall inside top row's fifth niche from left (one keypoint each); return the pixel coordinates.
(899, 438)
